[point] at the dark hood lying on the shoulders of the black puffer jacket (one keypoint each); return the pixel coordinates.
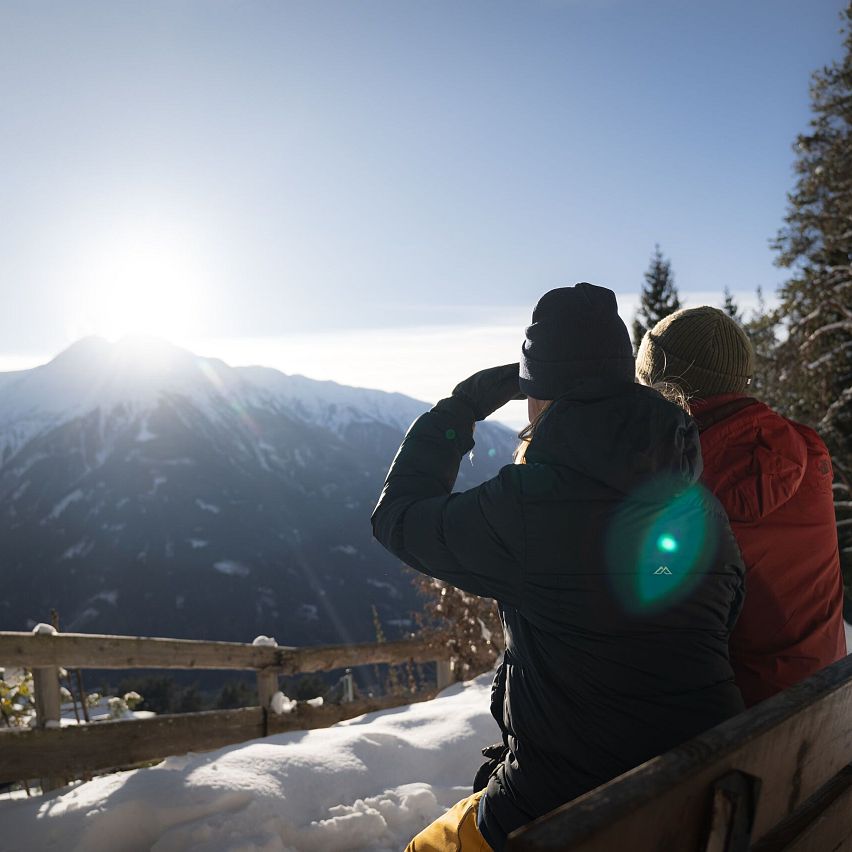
(623, 435)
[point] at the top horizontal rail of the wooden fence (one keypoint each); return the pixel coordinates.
(81, 650)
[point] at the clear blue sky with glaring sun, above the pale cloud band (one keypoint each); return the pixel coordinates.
(227, 170)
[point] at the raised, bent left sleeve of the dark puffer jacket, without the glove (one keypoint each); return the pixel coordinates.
(472, 539)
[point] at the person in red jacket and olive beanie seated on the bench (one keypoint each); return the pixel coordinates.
(773, 476)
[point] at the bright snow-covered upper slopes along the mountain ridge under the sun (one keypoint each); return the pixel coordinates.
(94, 374)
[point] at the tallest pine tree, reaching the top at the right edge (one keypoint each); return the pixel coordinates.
(816, 244)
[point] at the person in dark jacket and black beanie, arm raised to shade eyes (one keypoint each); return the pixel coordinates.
(617, 576)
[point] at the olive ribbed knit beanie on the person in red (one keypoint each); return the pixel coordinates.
(702, 350)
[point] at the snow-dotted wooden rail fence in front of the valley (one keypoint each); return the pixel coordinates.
(55, 754)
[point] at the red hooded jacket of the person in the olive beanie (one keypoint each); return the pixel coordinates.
(773, 477)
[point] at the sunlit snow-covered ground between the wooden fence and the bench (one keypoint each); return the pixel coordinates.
(369, 783)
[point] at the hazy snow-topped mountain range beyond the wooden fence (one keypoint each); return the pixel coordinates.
(146, 490)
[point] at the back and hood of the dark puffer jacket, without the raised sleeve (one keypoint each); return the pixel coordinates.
(617, 640)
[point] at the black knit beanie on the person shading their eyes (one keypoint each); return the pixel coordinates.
(576, 333)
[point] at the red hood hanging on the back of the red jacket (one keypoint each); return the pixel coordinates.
(754, 460)
